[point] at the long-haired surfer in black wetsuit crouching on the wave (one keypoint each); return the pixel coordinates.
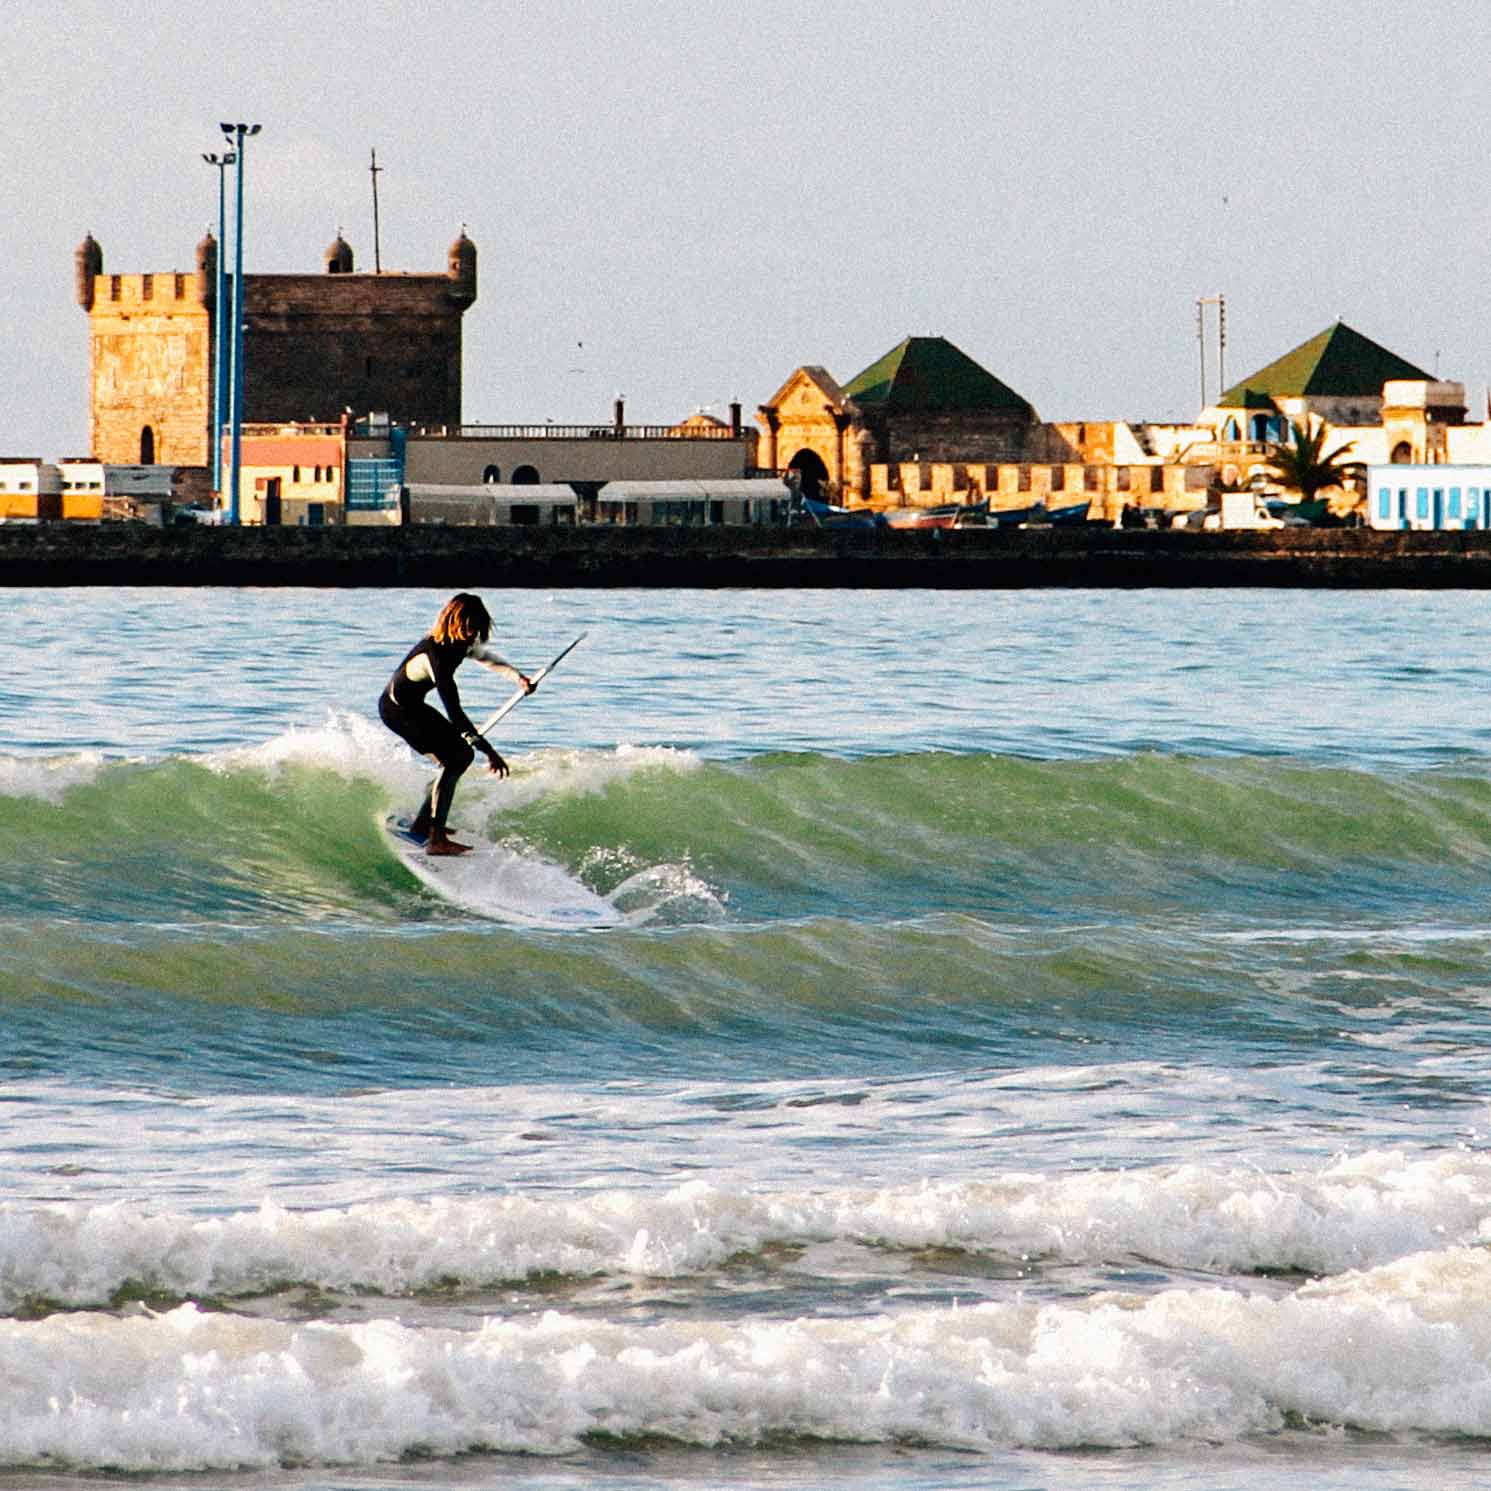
(461, 631)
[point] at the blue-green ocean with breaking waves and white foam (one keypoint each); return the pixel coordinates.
(1044, 1046)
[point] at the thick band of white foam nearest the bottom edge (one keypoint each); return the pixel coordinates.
(1399, 1350)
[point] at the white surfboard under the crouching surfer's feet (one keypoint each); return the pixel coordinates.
(503, 885)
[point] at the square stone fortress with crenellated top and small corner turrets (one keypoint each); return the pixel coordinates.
(314, 347)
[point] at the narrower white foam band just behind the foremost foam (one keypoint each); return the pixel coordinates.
(1358, 1213)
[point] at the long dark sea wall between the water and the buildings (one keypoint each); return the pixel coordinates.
(126, 554)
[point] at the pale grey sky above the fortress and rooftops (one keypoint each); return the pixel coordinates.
(684, 204)
